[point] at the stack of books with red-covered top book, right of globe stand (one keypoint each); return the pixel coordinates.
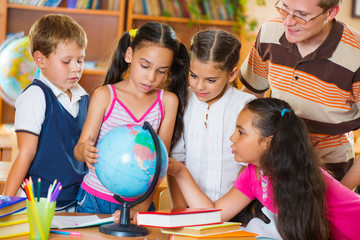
(193, 223)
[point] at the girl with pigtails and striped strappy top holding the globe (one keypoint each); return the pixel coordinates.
(146, 61)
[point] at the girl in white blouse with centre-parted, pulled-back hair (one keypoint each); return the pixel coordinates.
(213, 104)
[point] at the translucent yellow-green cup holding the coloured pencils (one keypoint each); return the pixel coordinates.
(40, 215)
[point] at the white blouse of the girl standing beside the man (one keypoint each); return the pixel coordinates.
(206, 148)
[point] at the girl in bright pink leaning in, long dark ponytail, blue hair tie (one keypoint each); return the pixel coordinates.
(284, 174)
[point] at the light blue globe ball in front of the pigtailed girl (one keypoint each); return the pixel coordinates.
(127, 161)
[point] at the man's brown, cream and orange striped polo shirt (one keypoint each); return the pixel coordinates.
(322, 87)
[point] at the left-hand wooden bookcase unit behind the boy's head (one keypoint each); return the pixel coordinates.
(103, 28)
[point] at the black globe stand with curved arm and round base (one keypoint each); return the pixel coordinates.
(124, 228)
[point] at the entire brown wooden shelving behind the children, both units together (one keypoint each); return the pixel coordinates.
(103, 28)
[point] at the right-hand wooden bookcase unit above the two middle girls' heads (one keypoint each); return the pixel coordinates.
(184, 27)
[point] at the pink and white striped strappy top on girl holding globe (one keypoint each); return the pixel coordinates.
(118, 114)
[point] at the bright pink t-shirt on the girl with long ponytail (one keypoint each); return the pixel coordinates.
(343, 213)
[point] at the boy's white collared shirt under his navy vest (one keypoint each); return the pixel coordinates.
(30, 106)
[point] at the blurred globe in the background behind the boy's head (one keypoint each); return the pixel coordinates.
(17, 68)
